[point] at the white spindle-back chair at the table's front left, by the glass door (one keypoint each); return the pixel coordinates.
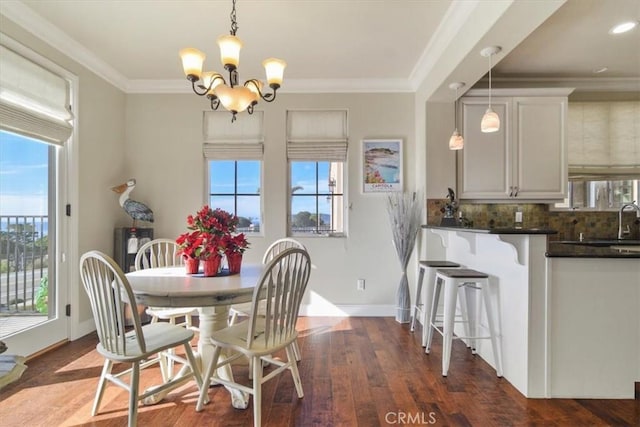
(109, 292)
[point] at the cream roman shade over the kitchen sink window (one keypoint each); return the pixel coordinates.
(604, 139)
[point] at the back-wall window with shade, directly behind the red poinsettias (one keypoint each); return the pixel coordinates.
(234, 155)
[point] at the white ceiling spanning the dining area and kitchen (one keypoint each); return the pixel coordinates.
(347, 45)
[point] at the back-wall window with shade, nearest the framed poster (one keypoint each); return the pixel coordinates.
(317, 152)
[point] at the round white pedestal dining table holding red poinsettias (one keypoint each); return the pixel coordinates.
(211, 296)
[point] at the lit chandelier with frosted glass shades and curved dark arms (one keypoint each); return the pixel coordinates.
(231, 95)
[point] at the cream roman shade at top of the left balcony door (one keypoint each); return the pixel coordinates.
(34, 101)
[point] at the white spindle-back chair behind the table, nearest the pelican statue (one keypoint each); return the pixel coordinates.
(164, 253)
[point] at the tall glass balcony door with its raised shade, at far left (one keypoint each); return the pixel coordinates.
(36, 152)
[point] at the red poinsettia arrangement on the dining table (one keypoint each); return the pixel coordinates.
(211, 237)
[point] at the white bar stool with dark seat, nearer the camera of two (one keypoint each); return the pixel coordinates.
(454, 280)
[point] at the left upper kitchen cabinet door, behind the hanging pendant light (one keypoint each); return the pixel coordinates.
(484, 165)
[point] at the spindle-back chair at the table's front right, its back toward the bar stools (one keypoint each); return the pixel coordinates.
(282, 285)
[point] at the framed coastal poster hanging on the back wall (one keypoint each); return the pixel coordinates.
(382, 165)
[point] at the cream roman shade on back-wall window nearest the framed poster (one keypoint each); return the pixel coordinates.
(317, 135)
